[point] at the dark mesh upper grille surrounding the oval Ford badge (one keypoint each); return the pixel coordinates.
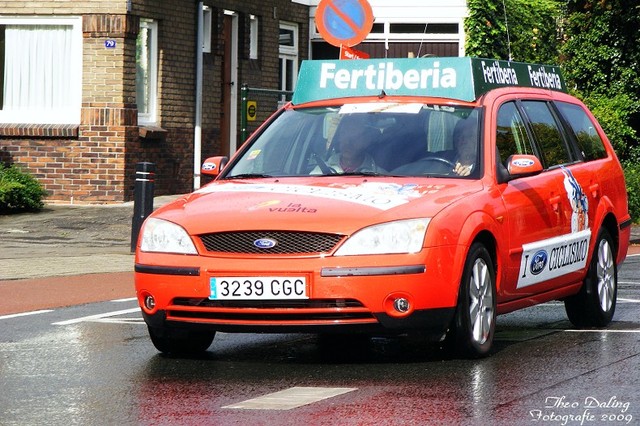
(287, 242)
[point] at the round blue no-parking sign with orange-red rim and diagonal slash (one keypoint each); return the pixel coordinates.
(344, 22)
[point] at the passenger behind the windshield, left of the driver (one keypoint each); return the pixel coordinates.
(352, 139)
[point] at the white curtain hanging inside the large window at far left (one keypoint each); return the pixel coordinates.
(37, 67)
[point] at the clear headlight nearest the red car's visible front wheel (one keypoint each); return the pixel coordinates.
(403, 236)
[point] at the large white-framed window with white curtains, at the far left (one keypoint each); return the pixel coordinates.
(40, 70)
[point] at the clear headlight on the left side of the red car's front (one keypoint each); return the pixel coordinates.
(162, 236)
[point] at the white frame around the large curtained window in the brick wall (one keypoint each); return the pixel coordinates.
(65, 115)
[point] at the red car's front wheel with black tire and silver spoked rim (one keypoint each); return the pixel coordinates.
(471, 334)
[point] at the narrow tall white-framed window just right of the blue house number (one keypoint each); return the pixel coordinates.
(146, 71)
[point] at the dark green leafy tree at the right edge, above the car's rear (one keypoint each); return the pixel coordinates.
(600, 58)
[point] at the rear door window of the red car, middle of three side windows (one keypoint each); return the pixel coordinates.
(547, 134)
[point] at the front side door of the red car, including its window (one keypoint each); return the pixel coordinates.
(533, 215)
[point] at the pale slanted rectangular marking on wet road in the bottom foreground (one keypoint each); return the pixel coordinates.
(290, 398)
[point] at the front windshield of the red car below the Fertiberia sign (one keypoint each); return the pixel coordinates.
(365, 139)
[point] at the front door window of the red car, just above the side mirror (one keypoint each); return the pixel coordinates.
(511, 135)
